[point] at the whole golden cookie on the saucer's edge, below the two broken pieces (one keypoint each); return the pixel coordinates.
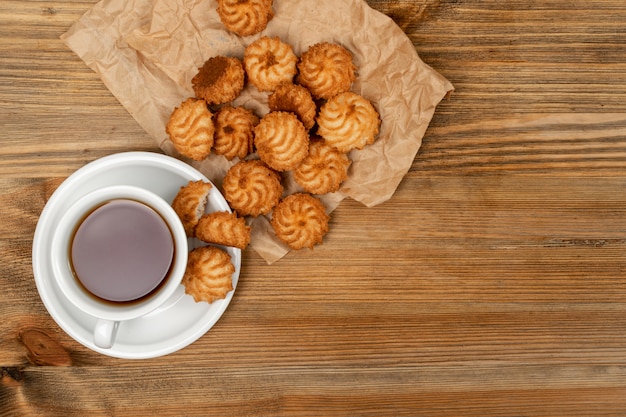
(209, 274)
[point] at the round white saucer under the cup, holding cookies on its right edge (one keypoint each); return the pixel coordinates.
(171, 327)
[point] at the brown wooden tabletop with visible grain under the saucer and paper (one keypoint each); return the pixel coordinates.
(493, 283)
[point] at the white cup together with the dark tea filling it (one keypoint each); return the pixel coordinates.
(118, 253)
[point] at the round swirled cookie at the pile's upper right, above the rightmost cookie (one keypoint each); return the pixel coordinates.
(326, 69)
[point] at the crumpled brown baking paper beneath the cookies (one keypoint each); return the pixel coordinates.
(147, 51)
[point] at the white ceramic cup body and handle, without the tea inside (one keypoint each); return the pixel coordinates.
(110, 314)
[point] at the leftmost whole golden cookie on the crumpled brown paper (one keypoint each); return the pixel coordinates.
(190, 128)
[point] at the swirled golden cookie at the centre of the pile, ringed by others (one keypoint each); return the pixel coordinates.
(281, 140)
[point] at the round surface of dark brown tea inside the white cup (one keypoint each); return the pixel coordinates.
(122, 251)
